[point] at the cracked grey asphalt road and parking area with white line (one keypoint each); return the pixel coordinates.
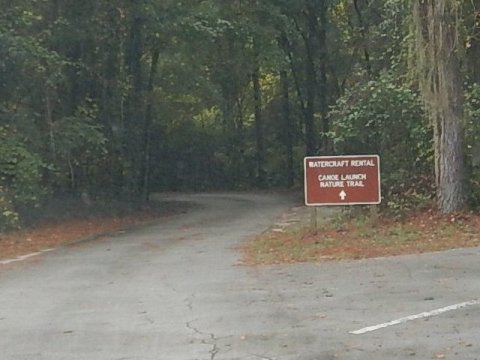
(176, 291)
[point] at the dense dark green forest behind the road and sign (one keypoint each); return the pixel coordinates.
(122, 98)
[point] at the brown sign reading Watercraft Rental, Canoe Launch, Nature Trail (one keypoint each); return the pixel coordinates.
(342, 180)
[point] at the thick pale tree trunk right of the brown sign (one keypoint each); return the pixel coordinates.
(439, 68)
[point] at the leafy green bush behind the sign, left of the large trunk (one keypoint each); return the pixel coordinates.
(386, 118)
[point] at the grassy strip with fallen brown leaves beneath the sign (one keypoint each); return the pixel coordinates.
(343, 238)
